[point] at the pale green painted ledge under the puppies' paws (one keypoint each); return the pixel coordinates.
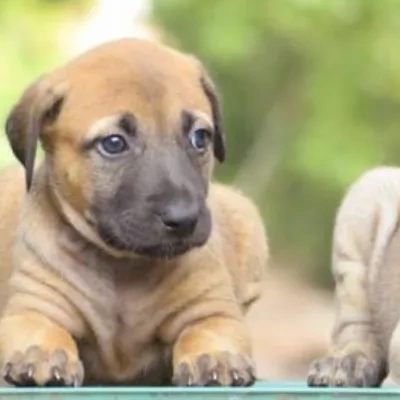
(273, 390)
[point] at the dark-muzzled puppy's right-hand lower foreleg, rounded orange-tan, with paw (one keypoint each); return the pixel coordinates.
(213, 351)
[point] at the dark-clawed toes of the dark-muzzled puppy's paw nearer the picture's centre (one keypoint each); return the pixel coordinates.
(217, 369)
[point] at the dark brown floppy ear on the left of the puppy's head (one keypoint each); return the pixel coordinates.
(39, 105)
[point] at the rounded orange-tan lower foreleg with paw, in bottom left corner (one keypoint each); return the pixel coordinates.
(38, 352)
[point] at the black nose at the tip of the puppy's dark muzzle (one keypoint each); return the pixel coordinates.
(180, 220)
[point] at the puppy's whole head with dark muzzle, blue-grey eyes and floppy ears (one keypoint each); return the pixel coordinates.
(129, 131)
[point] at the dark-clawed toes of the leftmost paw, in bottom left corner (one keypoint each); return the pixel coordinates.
(35, 367)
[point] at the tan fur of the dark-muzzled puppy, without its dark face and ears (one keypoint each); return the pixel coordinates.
(129, 319)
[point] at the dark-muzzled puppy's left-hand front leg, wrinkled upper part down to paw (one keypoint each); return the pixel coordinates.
(36, 344)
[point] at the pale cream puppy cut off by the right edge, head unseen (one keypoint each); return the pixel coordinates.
(366, 261)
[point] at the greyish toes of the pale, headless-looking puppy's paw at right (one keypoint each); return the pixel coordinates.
(354, 370)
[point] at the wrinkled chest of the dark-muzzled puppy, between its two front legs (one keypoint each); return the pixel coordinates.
(122, 309)
